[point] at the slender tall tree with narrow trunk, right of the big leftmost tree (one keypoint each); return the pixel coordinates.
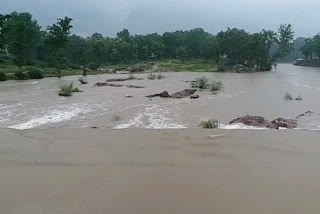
(57, 39)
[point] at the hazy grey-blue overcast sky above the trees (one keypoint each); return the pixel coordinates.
(147, 16)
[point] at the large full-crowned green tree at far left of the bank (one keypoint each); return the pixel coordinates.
(22, 35)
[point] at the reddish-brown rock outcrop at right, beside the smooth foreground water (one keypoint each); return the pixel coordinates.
(258, 121)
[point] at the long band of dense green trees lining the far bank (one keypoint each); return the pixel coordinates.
(27, 43)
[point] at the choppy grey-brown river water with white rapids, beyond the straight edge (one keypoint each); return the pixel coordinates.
(36, 104)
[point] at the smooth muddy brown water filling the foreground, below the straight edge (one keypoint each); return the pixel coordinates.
(160, 171)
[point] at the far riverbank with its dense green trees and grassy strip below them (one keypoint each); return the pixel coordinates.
(31, 51)
